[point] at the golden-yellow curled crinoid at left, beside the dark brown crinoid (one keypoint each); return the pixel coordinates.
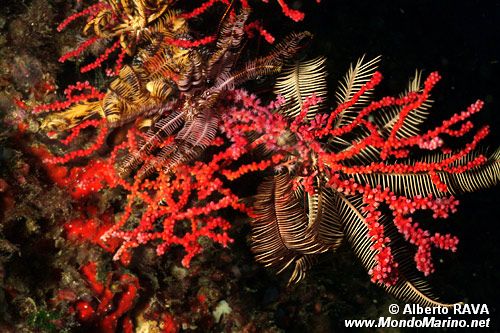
(140, 88)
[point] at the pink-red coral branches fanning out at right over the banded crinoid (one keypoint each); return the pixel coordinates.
(308, 151)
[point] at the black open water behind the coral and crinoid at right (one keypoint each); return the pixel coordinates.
(461, 40)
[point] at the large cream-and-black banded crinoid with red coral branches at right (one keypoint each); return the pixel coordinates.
(347, 176)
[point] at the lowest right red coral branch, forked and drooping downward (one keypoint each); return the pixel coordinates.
(386, 269)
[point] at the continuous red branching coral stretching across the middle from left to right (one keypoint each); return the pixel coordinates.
(188, 198)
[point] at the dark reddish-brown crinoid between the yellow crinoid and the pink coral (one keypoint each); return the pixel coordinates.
(193, 118)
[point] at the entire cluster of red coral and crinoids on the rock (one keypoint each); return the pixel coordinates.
(184, 129)
